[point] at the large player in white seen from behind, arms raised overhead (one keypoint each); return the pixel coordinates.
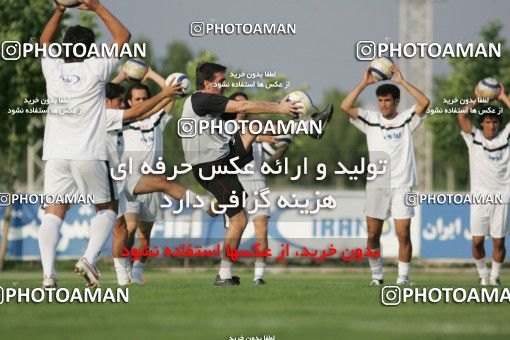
(75, 148)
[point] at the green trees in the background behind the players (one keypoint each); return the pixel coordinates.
(24, 20)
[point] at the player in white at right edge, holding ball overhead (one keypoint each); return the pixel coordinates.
(489, 170)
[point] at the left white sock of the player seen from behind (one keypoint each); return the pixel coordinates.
(48, 235)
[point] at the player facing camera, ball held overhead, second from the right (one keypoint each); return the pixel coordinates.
(389, 137)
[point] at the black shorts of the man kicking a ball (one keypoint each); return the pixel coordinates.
(222, 186)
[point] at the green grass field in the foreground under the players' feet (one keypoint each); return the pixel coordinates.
(292, 306)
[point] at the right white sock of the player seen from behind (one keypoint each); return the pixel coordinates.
(100, 230)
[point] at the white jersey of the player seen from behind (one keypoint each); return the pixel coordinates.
(80, 87)
